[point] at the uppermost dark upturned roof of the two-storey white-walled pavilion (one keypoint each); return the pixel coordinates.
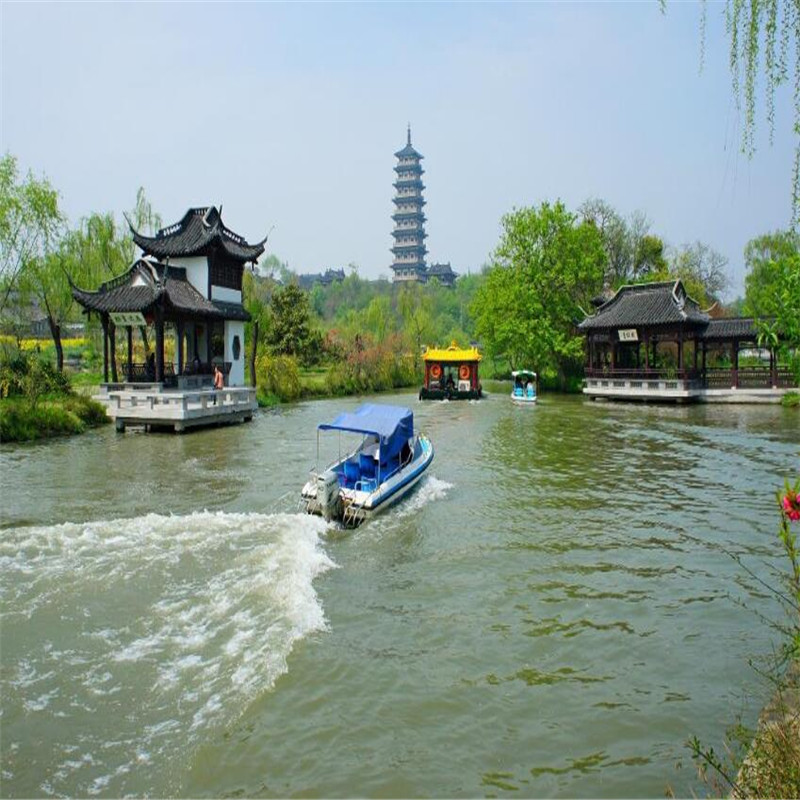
(200, 231)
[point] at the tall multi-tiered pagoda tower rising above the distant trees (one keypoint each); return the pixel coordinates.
(409, 220)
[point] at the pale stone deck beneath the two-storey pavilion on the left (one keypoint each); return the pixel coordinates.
(152, 406)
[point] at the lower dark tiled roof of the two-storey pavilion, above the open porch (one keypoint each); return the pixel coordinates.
(149, 283)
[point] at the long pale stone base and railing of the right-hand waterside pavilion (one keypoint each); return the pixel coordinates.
(751, 385)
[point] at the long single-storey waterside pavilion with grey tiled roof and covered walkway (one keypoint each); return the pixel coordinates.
(653, 341)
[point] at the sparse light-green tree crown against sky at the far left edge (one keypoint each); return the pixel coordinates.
(30, 223)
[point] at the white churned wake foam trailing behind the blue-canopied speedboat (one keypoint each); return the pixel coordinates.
(174, 622)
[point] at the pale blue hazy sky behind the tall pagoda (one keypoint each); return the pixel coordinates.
(288, 115)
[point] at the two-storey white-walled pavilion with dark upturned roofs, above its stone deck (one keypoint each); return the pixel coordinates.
(188, 284)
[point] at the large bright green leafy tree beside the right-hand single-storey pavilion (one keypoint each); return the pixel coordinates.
(546, 268)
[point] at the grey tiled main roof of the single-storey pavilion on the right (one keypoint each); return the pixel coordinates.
(646, 304)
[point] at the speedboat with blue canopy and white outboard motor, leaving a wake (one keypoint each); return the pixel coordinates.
(386, 465)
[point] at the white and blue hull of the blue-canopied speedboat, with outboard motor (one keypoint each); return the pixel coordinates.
(355, 506)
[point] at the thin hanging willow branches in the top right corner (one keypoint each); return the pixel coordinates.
(764, 42)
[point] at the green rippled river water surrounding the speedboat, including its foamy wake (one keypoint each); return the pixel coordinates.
(552, 612)
